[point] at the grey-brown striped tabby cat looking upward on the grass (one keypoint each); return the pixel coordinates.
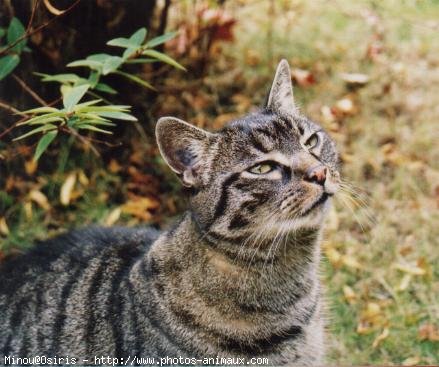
(236, 277)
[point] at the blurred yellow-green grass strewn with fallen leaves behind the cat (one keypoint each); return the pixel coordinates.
(381, 263)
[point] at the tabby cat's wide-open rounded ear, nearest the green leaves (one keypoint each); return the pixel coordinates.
(183, 147)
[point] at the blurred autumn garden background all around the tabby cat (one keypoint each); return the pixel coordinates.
(368, 71)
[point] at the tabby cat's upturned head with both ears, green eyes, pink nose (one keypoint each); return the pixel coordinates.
(268, 171)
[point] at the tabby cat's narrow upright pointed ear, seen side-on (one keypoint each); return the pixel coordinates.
(281, 97)
